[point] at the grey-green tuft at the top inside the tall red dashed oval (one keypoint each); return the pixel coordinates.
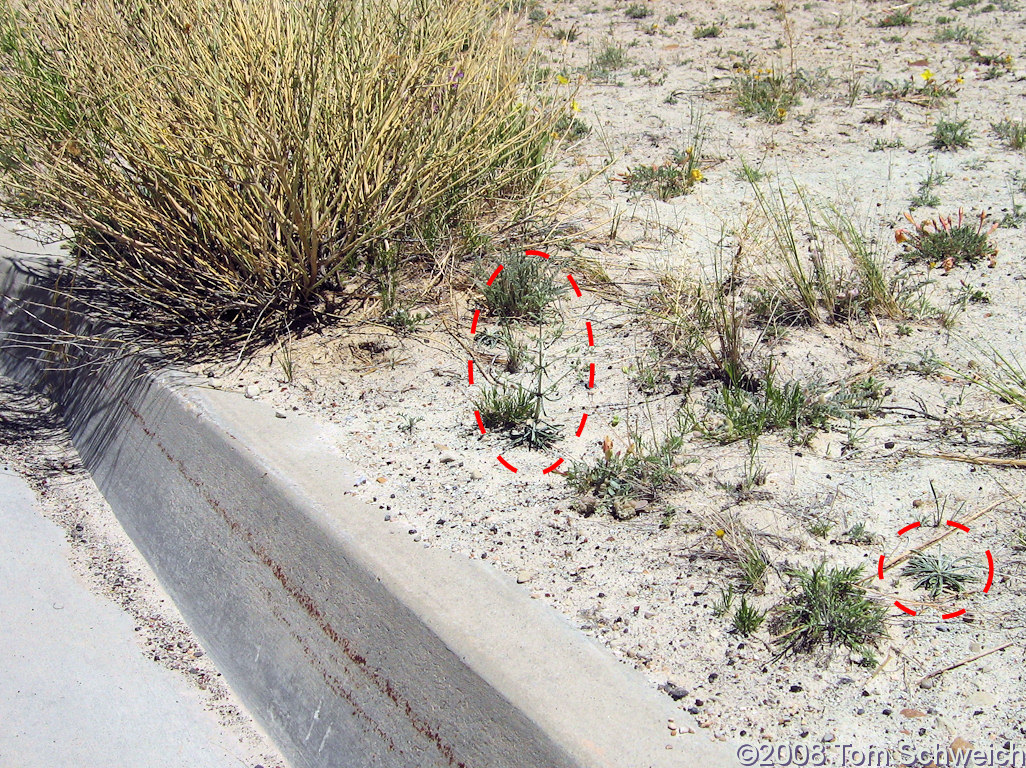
(524, 290)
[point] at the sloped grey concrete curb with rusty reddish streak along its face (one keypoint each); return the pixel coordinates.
(351, 645)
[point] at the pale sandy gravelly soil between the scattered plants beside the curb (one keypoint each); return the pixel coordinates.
(647, 587)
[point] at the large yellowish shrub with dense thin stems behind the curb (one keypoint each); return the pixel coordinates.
(244, 161)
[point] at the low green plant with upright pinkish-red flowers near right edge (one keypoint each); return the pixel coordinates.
(944, 244)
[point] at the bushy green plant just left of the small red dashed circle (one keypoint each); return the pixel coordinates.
(830, 609)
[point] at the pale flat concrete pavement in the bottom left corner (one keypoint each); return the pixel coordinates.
(75, 690)
